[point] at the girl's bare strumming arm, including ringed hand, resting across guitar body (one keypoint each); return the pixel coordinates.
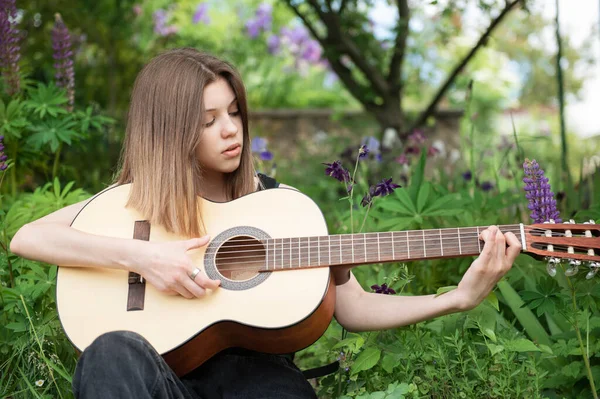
(165, 265)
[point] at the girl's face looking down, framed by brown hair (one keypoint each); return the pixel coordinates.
(220, 148)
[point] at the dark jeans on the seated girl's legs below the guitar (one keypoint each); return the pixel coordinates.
(123, 364)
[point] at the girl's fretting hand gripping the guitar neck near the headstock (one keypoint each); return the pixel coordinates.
(495, 260)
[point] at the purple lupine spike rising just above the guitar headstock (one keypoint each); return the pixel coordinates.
(541, 199)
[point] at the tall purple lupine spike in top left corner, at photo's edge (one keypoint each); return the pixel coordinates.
(10, 50)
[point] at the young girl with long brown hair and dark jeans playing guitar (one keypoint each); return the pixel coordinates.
(187, 136)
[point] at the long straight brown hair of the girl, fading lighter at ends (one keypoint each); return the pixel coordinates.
(164, 126)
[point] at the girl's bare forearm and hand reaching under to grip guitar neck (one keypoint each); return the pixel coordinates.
(357, 310)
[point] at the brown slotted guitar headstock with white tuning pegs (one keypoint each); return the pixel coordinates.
(577, 244)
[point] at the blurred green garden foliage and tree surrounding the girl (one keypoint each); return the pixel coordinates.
(493, 64)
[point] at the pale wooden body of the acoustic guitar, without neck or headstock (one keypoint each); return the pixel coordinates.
(276, 312)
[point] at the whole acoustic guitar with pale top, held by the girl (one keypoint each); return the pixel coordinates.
(273, 255)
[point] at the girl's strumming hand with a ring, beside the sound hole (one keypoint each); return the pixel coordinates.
(168, 267)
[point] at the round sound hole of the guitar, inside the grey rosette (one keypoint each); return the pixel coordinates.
(240, 258)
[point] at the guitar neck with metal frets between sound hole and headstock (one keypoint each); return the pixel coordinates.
(365, 248)
